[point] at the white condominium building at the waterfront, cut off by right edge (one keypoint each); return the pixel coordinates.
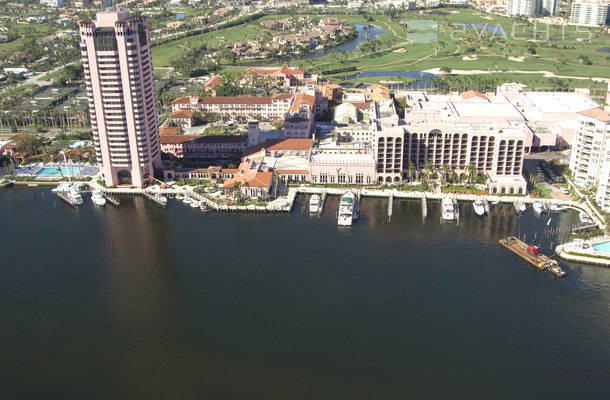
(590, 156)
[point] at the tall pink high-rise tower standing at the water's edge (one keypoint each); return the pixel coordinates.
(119, 78)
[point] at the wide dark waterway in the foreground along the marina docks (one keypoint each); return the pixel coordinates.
(143, 302)
